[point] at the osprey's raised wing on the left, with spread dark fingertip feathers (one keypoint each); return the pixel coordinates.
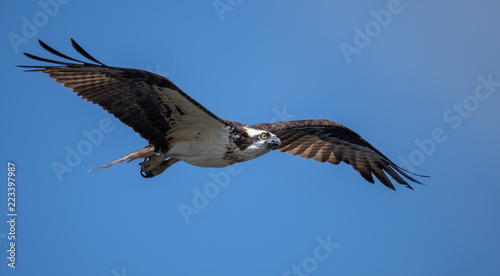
(151, 104)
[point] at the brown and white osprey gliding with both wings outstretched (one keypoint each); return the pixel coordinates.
(178, 128)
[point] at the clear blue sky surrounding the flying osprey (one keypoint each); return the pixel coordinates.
(418, 79)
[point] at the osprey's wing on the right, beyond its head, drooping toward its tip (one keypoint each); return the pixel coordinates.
(327, 141)
